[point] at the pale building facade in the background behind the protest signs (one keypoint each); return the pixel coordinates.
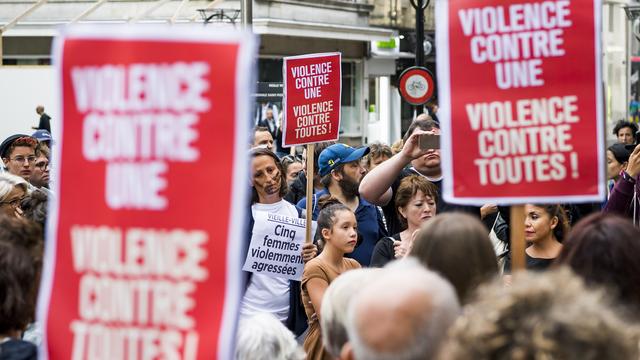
(376, 39)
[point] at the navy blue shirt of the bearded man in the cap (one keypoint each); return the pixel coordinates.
(370, 226)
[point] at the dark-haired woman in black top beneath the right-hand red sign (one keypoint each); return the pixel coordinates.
(545, 227)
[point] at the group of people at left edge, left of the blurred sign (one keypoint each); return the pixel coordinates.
(24, 194)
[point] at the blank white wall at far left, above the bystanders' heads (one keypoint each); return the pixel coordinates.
(22, 88)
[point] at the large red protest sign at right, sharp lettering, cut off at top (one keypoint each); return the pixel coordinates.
(520, 100)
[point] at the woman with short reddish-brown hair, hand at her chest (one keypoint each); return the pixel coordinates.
(415, 204)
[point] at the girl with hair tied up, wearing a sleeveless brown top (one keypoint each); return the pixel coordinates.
(338, 229)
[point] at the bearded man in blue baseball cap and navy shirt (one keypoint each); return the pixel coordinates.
(341, 171)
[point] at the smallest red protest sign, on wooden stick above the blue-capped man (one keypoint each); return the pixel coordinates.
(312, 91)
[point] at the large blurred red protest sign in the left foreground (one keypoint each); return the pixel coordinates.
(141, 264)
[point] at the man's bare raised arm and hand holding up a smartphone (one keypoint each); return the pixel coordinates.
(375, 187)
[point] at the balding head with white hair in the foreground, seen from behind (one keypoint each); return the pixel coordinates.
(404, 314)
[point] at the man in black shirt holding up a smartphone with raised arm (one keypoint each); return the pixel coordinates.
(380, 185)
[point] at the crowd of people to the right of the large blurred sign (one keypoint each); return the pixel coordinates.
(396, 272)
